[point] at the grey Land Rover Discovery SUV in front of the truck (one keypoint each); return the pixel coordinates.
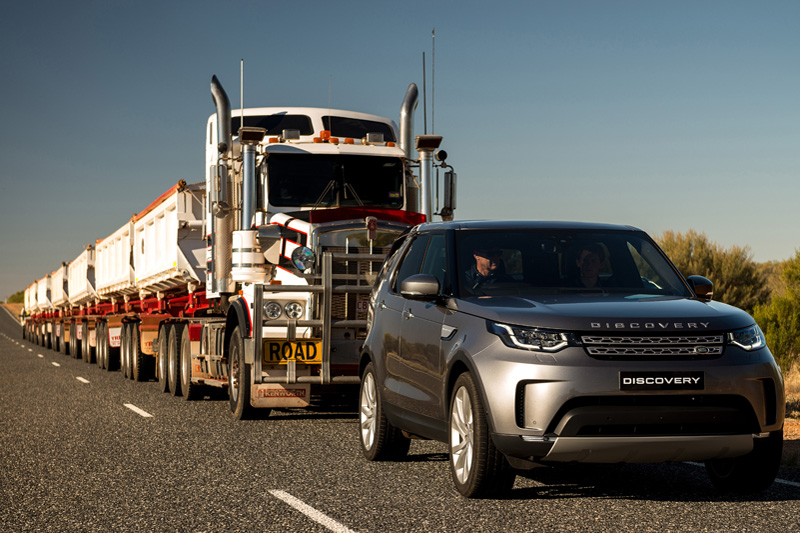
(519, 343)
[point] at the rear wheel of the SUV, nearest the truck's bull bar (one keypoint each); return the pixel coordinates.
(380, 440)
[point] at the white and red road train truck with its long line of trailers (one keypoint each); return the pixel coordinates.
(255, 280)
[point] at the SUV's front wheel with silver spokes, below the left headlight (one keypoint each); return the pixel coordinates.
(478, 469)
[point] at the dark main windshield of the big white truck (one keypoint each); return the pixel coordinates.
(334, 181)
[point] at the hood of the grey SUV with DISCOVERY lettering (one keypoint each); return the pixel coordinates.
(608, 312)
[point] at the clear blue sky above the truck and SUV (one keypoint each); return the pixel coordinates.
(664, 115)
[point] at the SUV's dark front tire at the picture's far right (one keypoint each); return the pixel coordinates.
(749, 473)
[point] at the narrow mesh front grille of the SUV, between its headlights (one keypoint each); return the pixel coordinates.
(657, 348)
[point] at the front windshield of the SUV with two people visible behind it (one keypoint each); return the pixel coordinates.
(544, 261)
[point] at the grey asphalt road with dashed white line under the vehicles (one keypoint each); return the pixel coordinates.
(75, 458)
